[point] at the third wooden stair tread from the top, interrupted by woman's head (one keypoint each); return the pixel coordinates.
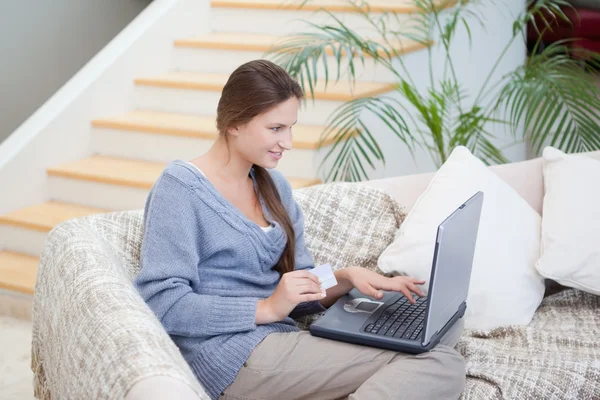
(214, 82)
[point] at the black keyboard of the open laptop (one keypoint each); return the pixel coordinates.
(400, 319)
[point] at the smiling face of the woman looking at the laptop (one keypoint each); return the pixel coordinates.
(264, 139)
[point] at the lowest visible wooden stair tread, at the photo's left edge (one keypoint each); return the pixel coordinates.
(18, 271)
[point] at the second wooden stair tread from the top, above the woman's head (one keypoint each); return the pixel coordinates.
(262, 43)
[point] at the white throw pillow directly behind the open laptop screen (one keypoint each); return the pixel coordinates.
(505, 288)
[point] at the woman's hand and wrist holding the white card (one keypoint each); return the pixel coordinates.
(294, 287)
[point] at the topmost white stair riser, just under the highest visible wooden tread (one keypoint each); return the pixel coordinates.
(285, 22)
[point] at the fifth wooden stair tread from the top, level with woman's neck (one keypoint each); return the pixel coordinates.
(126, 172)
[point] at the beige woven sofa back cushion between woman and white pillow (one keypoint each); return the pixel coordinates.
(348, 224)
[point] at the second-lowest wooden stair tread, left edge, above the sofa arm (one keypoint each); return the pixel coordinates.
(44, 217)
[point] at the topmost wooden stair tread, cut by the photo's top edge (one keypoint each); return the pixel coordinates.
(397, 6)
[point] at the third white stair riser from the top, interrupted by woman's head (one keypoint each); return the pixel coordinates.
(202, 102)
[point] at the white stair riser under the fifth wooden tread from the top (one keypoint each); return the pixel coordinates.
(96, 194)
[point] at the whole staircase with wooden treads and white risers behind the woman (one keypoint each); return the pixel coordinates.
(173, 118)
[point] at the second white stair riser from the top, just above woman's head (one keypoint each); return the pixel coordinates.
(226, 61)
